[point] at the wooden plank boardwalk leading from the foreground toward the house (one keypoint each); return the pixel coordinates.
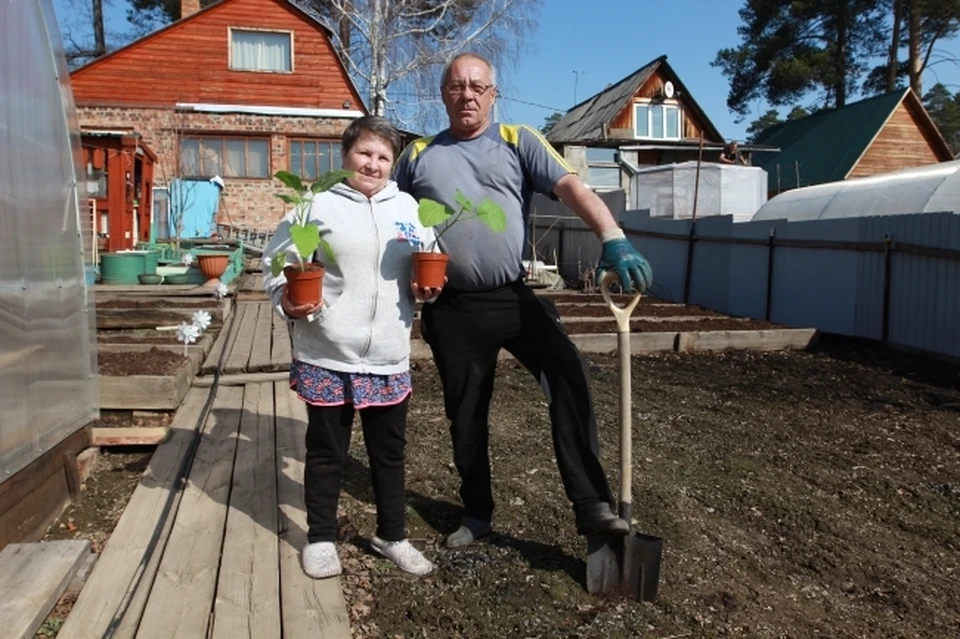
(209, 545)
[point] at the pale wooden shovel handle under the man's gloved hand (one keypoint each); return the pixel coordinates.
(622, 315)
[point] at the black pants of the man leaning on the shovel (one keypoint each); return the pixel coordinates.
(466, 331)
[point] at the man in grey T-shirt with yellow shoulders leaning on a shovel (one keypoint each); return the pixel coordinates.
(485, 305)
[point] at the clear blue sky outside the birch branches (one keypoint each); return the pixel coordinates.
(581, 46)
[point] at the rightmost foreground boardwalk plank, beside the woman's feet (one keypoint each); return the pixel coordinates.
(310, 607)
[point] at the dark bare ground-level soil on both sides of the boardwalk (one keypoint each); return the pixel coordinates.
(810, 494)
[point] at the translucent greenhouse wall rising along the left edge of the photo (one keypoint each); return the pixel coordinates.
(47, 376)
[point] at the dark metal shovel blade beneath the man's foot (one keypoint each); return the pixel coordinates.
(626, 566)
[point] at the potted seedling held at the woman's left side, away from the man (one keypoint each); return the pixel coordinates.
(305, 275)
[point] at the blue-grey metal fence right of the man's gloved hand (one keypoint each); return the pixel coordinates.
(891, 278)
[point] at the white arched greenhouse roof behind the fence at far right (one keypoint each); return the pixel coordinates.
(927, 189)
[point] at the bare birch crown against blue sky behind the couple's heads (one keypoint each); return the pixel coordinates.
(394, 49)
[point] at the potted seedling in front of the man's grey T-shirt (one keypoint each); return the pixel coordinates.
(430, 268)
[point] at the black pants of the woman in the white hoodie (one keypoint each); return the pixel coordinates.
(328, 441)
